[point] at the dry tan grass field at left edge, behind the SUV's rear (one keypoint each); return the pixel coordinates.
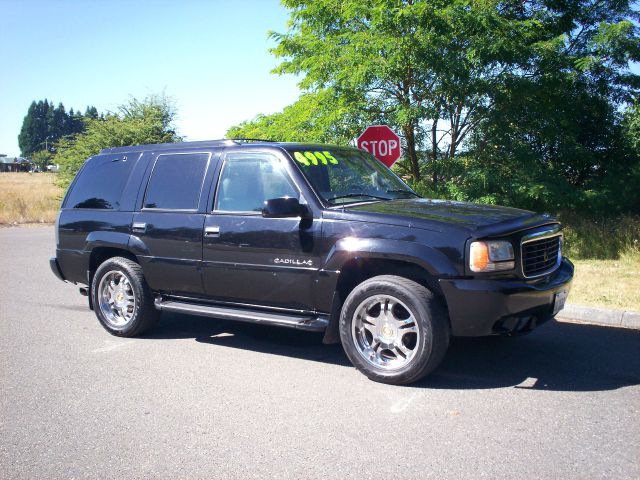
(28, 198)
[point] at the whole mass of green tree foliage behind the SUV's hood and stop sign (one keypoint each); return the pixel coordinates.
(499, 102)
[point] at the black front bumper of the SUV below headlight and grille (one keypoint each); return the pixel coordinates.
(480, 307)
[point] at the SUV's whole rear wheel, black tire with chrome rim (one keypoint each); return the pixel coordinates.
(122, 300)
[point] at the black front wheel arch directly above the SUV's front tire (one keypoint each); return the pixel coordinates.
(356, 271)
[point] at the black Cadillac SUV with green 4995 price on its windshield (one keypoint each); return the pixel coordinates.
(312, 237)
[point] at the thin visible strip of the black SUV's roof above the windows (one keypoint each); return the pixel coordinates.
(235, 142)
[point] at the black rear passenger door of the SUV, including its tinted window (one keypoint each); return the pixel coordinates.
(167, 229)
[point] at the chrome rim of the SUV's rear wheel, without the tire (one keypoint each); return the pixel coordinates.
(116, 299)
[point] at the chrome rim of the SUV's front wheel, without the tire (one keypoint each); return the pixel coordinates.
(385, 332)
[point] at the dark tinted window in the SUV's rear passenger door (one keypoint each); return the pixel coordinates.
(176, 181)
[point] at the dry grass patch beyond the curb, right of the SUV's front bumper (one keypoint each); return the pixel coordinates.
(608, 283)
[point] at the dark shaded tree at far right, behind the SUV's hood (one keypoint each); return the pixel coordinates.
(553, 138)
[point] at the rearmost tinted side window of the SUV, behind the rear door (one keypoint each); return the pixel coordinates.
(101, 182)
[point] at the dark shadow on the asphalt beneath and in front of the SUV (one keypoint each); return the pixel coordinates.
(557, 356)
